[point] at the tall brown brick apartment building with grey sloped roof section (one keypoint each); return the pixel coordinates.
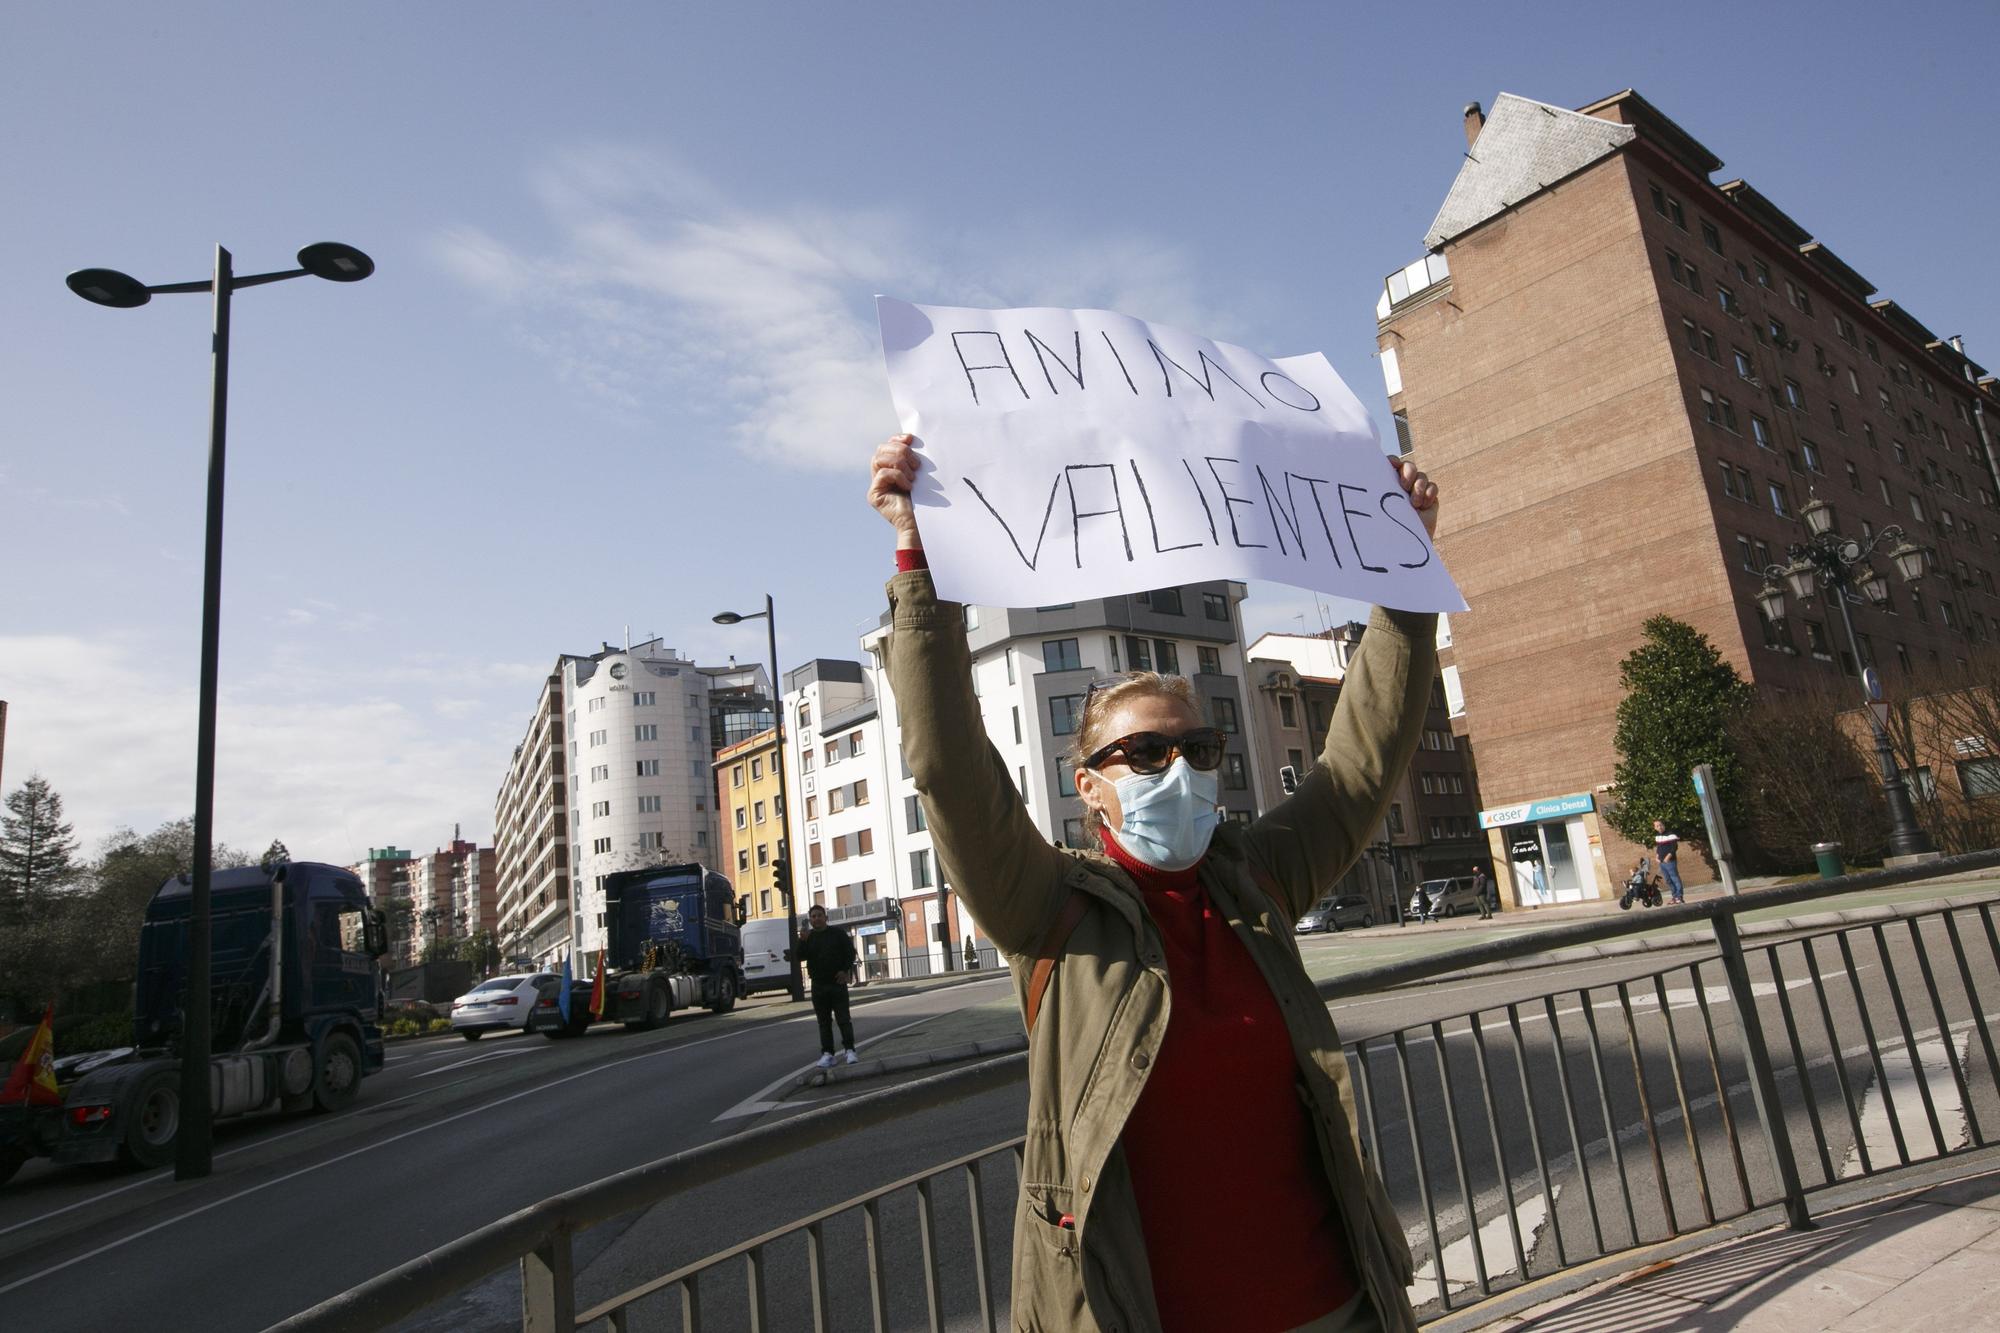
(1629, 379)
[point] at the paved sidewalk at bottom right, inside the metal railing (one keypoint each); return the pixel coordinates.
(1925, 1260)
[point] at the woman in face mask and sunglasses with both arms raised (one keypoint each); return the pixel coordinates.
(1193, 1156)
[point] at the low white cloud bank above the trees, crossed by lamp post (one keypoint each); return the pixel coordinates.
(331, 764)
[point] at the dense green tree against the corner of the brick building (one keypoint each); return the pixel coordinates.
(1681, 700)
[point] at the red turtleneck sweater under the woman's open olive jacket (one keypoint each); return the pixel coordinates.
(1241, 1224)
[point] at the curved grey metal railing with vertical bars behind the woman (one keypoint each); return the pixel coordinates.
(1529, 1136)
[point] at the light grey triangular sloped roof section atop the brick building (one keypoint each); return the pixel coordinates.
(1523, 149)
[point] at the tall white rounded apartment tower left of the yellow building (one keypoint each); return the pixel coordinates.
(619, 780)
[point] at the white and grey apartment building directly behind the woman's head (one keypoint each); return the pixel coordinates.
(1031, 672)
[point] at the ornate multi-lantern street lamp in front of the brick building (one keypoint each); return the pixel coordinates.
(1839, 567)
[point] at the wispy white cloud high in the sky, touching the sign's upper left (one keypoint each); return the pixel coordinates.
(659, 287)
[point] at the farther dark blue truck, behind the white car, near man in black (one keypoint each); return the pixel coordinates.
(671, 942)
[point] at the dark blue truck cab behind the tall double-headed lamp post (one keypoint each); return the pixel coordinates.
(295, 992)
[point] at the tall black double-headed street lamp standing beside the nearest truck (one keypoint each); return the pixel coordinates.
(107, 287)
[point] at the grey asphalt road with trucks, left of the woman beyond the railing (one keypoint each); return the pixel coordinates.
(451, 1136)
